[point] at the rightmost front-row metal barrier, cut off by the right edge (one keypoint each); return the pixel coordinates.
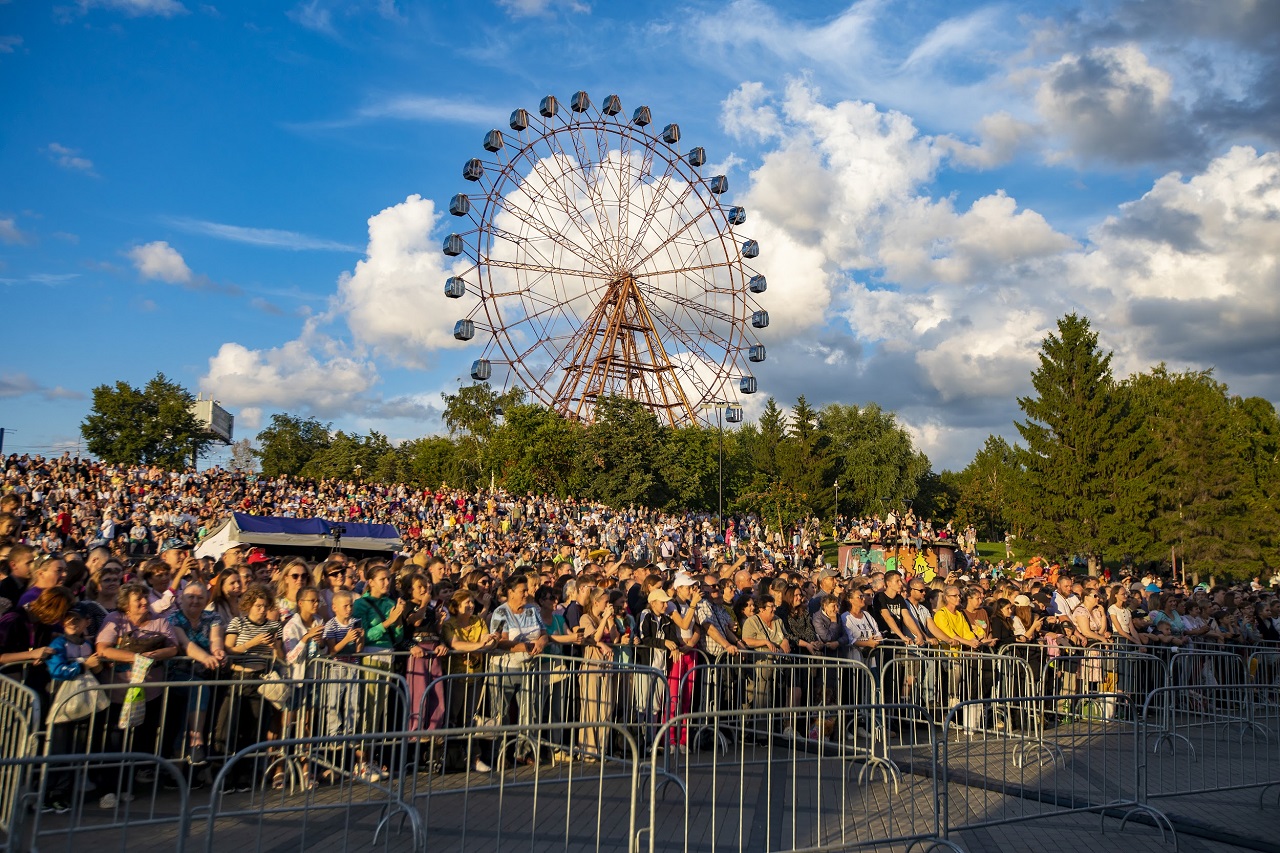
(1200, 742)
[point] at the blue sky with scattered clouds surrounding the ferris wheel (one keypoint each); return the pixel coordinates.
(249, 197)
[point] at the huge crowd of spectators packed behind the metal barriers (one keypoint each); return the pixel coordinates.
(99, 578)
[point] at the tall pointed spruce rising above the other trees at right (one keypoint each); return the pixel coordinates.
(1068, 431)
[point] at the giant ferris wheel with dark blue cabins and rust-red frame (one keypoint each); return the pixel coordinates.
(605, 263)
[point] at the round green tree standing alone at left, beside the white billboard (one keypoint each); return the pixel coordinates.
(150, 426)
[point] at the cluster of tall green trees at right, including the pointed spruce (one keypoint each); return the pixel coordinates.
(1131, 469)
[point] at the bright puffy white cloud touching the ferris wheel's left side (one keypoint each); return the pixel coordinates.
(394, 302)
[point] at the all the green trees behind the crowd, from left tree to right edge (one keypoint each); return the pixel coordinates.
(1116, 469)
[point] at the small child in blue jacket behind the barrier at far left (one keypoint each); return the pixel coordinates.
(72, 655)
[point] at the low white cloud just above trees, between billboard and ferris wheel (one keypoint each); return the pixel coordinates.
(312, 373)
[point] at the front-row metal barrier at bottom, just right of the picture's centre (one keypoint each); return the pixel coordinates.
(766, 792)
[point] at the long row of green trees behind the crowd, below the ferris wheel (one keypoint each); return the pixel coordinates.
(784, 467)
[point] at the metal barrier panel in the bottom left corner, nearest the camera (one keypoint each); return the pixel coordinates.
(149, 809)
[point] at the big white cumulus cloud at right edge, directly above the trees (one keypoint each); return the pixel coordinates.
(1196, 262)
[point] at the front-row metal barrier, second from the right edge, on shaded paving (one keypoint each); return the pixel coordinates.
(1086, 763)
